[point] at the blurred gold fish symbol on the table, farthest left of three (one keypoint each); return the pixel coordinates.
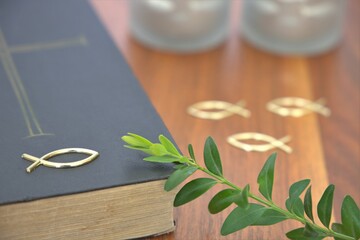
(207, 110)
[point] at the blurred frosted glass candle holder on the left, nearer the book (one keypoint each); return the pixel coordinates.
(179, 25)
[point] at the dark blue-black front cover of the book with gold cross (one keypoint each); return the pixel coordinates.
(64, 84)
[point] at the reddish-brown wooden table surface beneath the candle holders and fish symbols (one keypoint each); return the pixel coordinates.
(325, 149)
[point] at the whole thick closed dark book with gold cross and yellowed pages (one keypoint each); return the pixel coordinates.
(64, 84)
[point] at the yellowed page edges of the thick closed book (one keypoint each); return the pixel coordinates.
(126, 212)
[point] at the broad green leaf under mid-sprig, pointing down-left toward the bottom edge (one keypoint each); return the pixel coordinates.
(241, 218)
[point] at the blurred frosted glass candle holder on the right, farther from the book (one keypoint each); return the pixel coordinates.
(302, 27)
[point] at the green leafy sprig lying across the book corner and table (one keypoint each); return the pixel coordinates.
(262, 213)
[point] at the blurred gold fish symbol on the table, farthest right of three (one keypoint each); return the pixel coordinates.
(297, 107)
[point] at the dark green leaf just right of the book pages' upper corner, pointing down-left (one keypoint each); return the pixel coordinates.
(193, 190)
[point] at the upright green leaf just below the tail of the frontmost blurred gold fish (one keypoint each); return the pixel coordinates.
(266, 177)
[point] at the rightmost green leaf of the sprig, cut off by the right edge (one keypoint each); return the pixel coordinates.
(350, 217)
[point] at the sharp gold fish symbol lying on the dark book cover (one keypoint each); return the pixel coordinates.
(44, 159)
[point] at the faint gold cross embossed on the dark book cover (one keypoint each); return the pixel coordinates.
(31, 121)
